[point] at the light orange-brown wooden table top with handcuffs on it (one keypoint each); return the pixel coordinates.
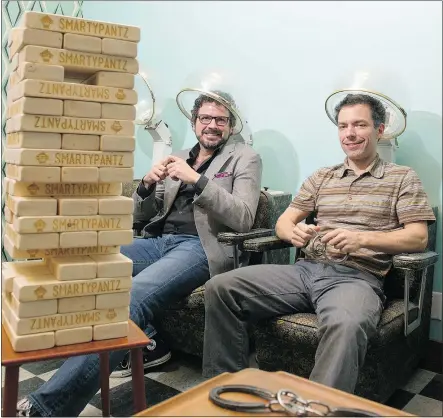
(195, 402)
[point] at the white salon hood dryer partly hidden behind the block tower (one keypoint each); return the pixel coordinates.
(148, 115)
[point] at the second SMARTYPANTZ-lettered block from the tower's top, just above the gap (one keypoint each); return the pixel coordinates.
(81, 62)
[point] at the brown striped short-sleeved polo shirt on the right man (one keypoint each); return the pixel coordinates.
(383, 198)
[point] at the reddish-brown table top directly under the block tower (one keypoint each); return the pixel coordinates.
(136, 338)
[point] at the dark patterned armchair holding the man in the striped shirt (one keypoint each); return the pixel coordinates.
(289, 342)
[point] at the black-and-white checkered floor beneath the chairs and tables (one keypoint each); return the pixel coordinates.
(422, 395)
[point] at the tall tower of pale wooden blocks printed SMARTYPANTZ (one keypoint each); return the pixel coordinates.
(69, 147)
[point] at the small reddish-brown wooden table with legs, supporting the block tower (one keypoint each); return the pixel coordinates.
(135, 341)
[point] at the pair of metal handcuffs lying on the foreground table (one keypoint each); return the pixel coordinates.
(283, 401)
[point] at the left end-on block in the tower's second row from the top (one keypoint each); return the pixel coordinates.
(20, 37)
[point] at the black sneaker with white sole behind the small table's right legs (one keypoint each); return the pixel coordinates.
(154, 354)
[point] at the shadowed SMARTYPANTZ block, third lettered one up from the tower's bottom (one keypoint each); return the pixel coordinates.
(56, 252)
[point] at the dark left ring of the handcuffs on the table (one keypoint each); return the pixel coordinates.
(214, 396)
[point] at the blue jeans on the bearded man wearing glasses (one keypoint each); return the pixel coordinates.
(165, 269)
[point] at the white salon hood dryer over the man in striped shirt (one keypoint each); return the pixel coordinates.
(384, 87)
